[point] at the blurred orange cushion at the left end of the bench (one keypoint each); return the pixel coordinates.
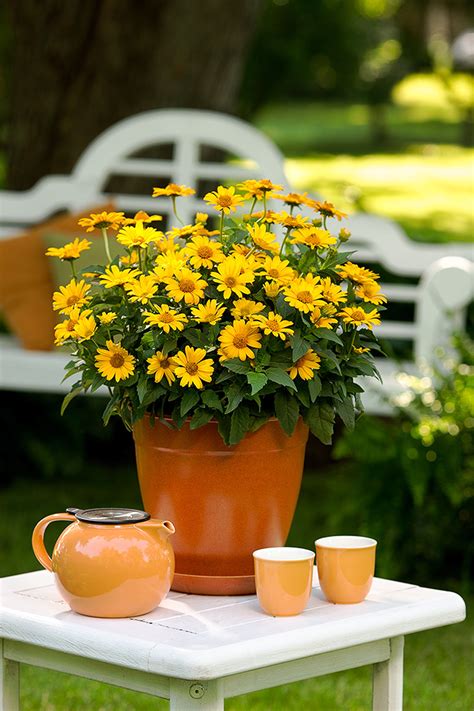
(26, 281)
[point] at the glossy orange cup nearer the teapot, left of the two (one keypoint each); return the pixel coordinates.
(283, 578)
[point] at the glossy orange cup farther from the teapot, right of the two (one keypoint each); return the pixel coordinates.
(346, 566)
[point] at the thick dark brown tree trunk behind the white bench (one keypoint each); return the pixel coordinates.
(79, 66)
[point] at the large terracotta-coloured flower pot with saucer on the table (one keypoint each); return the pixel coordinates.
(224, 501)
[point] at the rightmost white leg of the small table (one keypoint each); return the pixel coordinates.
(388, 680)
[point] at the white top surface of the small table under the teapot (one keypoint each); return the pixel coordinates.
(204, 637)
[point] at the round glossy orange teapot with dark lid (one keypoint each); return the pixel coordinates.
(109, 562)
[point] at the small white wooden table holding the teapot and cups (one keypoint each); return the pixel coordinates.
(197, 650)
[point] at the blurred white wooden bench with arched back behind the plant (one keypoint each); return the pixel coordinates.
(442, 274)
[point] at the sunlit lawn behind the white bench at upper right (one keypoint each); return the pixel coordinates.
(421, 178)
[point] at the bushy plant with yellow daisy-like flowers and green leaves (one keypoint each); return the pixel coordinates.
(226, 324)
